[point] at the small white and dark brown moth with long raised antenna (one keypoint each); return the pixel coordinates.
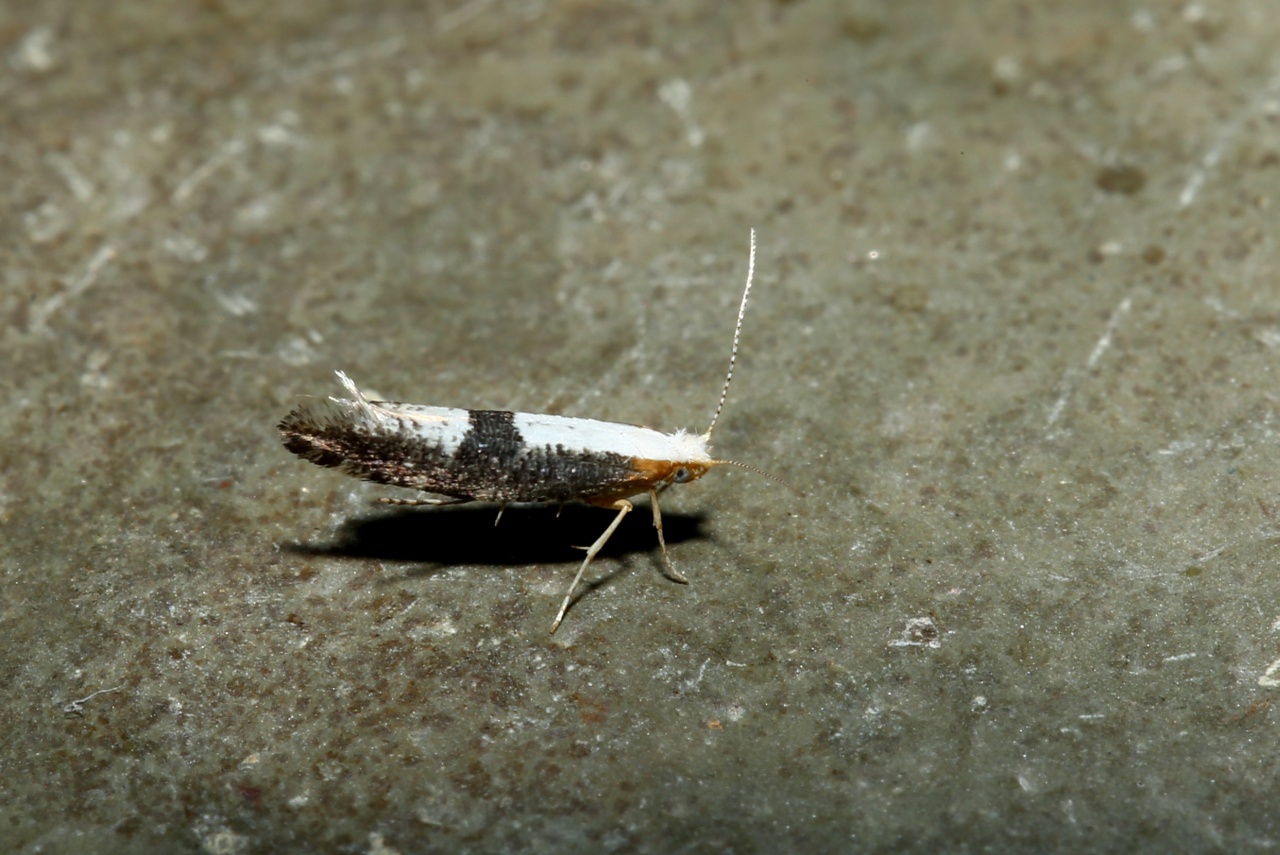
(504, 458)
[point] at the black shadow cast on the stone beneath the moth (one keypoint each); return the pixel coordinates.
(525, 536)
